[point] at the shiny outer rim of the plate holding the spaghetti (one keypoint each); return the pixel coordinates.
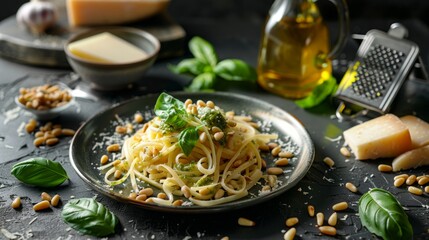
(195, 208)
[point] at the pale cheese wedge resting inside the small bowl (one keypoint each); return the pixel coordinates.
(106, 48)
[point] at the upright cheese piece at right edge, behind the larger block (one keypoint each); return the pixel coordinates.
(419, 130)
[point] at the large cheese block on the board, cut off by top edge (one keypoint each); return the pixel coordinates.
(111, 12)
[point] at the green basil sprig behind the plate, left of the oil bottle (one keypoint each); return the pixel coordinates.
(206, 68)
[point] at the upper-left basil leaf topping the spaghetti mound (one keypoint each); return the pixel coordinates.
(171, 110)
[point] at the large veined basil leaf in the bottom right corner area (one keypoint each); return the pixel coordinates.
(384, 216)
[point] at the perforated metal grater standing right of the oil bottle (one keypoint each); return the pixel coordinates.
(382, 64)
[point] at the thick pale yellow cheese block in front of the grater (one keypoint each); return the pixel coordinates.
(381, 137)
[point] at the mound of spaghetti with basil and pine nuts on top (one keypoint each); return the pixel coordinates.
(193, 150)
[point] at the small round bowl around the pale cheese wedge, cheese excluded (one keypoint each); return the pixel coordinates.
(113, 76)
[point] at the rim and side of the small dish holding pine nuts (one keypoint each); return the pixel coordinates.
(50, 113)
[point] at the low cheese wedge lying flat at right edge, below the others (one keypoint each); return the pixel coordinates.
(411, 159)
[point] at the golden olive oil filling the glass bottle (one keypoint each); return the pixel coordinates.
(293, 52)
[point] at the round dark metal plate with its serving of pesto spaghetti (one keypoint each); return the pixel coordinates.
(192, 152)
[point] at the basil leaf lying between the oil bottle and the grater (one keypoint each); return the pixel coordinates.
(320, 93)
